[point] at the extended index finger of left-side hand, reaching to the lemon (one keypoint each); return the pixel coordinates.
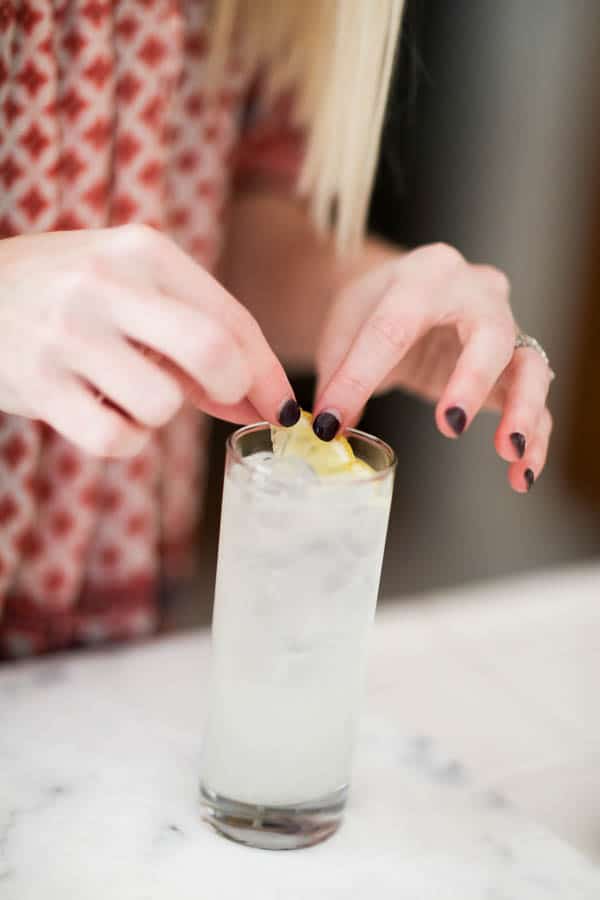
(180, 277)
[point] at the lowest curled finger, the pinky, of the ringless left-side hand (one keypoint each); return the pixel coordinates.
(70, 408)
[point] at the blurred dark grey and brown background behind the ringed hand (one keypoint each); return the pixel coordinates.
(492, 144)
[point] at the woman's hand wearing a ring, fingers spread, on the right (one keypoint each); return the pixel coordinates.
(430, 322)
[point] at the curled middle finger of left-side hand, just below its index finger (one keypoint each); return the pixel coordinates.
(193, 341)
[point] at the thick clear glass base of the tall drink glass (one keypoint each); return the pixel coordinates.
(275, 827)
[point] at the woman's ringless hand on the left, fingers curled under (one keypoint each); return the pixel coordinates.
(125, 315)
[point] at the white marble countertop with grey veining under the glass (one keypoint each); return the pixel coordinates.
(474, 704)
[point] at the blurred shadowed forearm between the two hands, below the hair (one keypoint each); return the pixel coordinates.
(285, 274)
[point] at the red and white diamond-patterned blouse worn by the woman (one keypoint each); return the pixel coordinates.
(103, 121)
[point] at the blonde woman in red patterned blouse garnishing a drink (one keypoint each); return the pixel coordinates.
(130, 131)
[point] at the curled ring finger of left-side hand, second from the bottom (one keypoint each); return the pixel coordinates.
(121, 373)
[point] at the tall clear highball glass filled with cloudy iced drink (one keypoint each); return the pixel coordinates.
(297, 583)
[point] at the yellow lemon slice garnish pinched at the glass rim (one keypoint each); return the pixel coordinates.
(326, 458)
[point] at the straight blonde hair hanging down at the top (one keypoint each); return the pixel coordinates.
(337, 57)
